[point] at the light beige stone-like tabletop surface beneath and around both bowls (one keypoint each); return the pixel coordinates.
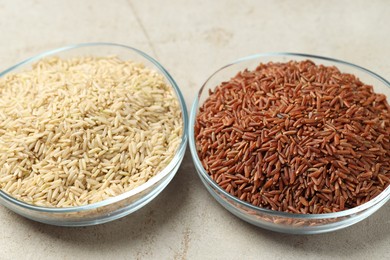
(192, 39)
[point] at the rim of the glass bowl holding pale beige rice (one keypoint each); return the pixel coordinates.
(155, 179)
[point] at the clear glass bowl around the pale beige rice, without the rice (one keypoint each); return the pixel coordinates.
(126, 203)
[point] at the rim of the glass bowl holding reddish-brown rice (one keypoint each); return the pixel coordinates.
(384, 195)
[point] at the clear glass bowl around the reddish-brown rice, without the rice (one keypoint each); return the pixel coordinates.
(276, 220)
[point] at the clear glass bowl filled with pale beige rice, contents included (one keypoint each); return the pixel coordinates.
(123, 124)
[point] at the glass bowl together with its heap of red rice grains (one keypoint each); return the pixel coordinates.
(299, 215)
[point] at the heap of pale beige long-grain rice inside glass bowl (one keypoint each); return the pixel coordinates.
(81, 130)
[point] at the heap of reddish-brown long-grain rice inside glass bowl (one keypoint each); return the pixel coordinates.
(296, 137)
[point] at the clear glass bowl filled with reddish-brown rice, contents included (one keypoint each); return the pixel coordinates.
(261, 196)
